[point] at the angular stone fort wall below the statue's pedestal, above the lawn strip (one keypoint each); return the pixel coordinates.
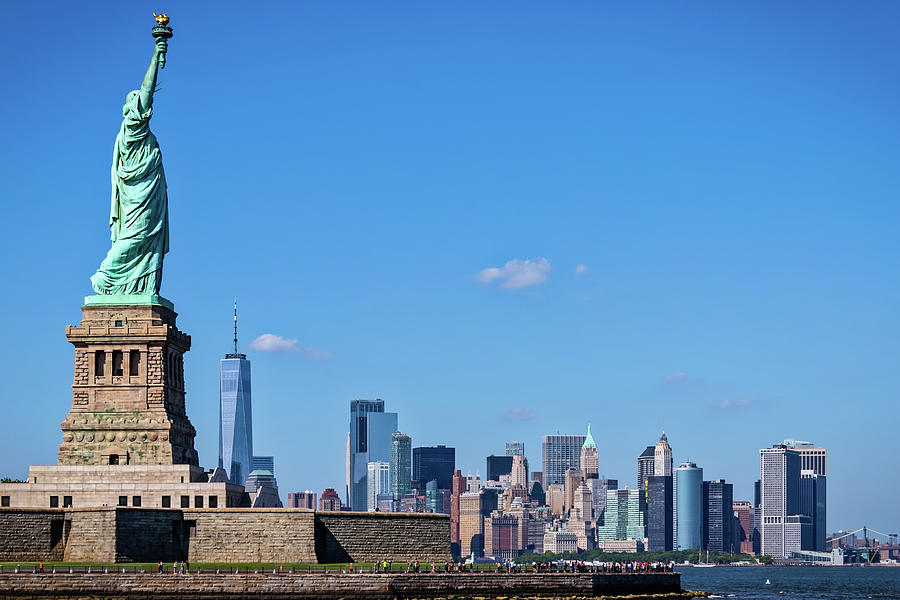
(233, 535)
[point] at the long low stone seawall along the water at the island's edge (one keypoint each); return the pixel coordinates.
(332, 587)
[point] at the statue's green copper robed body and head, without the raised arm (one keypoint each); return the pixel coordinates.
(139, 216)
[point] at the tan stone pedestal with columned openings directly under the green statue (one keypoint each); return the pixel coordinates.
(128, 390)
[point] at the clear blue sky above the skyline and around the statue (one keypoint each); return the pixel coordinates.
(691, 211)
